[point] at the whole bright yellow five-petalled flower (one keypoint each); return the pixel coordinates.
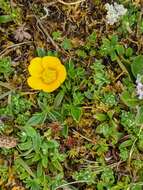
(47, 73)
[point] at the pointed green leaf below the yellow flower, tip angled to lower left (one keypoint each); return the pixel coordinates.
(37, 119)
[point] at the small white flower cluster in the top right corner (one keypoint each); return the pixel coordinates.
(114, 12)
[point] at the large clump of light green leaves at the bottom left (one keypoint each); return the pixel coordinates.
(43, 152)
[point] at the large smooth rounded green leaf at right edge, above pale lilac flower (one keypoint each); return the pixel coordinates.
(137, 65)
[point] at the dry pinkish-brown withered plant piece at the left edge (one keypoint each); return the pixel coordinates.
(7, 142)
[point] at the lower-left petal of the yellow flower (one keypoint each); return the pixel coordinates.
(36, 83)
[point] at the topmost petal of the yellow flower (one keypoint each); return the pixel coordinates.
(51, 62)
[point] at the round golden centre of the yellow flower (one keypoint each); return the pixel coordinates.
(49, 75)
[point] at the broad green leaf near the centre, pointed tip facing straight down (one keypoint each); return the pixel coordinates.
(76, 113)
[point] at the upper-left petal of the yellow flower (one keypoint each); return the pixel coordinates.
(35, 68)
